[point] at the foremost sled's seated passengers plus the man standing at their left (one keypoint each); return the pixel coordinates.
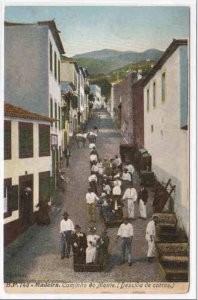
(86, 249)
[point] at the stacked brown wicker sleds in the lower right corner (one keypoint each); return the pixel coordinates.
(172, 247)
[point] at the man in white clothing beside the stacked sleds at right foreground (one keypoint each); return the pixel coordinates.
(150, 237)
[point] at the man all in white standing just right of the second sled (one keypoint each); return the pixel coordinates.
(131, 196)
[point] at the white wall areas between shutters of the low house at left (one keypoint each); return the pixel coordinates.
(15, 167)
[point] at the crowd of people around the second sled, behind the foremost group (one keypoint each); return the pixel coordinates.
(111, 186)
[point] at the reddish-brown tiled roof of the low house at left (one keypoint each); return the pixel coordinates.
(17, 112)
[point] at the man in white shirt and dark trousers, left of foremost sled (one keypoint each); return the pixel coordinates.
(66, 230)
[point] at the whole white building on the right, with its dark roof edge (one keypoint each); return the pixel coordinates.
(166, 135)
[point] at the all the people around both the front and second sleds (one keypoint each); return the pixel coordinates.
(110, 186)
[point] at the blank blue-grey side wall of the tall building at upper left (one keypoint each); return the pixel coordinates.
(26, 67)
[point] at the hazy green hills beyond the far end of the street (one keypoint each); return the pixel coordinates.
(106, 60)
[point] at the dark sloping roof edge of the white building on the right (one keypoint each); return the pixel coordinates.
(169, 51)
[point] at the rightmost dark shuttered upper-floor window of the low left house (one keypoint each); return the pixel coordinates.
(44, 140)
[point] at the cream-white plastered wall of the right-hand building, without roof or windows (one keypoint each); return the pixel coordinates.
(168, 144)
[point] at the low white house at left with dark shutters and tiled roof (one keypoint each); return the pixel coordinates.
(27, 164)
